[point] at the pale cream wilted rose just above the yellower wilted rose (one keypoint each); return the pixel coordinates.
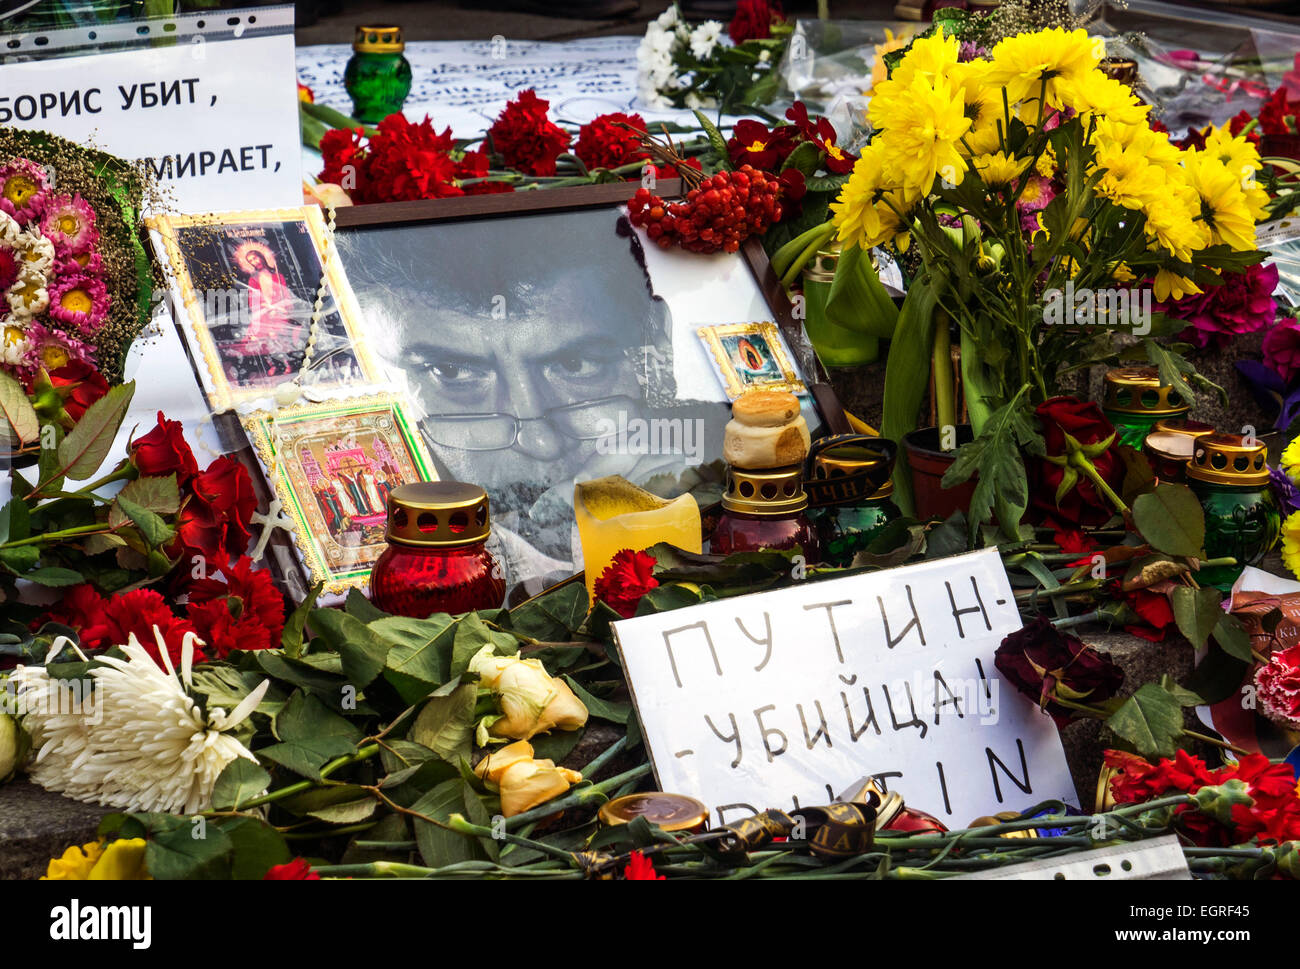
(532, 702)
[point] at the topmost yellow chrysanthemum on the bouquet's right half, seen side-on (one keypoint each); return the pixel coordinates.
(1056, 59)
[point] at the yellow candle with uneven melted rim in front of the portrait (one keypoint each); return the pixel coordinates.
(613, 514)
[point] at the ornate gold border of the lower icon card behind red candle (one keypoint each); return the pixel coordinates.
(258, 425)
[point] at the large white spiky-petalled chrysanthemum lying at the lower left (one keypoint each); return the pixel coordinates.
(138, 742)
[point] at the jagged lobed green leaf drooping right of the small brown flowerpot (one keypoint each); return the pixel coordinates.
(998, 457)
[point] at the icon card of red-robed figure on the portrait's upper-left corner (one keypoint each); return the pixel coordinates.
(246, 287)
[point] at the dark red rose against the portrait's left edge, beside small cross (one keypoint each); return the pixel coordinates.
(214, 524)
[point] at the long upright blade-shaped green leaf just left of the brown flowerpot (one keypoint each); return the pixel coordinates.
(908, 378)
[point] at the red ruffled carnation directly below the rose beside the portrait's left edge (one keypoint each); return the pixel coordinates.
(246, 612)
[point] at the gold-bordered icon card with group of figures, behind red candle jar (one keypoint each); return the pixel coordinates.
(332, 468)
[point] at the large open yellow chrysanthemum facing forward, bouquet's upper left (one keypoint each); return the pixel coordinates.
(921, 135)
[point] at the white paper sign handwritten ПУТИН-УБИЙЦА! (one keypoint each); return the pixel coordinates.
(787, 698)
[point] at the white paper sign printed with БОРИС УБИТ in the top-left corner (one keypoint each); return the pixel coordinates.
(216, 118)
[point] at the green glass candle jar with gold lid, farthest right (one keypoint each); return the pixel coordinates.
(1230, 477)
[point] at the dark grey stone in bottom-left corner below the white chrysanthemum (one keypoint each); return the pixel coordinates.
(37, 827)
